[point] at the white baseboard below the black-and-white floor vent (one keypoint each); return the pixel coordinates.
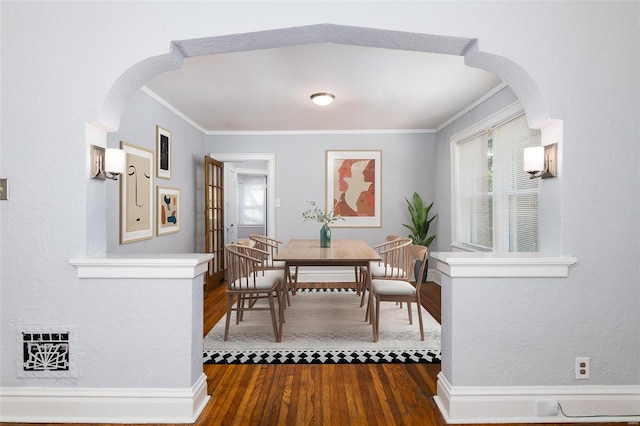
(103, 405)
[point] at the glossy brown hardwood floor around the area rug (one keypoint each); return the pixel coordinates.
(364, 394)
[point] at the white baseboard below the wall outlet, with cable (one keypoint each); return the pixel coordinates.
(524, 404)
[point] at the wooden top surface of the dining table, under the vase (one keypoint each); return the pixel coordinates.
(341, 252)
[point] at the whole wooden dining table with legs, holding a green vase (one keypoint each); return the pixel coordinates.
(341, 252)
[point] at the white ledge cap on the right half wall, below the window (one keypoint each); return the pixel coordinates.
(484, 264)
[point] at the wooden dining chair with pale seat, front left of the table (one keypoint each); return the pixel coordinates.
(247, 283)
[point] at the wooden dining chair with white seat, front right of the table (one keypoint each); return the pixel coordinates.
(393, 290)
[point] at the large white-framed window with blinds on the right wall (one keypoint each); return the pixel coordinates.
(495, 202)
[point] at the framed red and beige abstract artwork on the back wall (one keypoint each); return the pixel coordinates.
(353, 187)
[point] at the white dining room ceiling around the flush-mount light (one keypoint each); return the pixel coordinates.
(268, 90)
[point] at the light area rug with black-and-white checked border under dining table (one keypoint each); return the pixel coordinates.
(325, 326)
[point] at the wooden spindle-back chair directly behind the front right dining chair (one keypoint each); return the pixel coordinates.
(393, 264)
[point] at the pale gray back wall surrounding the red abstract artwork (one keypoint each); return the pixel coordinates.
(408, 165)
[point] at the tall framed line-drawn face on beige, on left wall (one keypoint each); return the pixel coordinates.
(136, 194)
